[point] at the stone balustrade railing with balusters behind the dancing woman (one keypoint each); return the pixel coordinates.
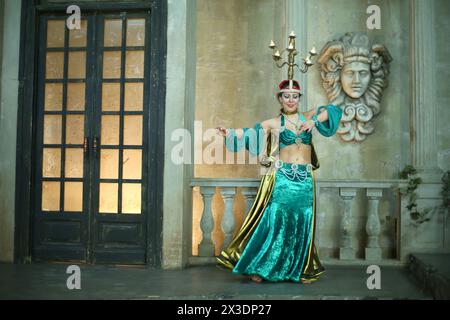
(347, 190)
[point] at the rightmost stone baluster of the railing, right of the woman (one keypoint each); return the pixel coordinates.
(373, 250)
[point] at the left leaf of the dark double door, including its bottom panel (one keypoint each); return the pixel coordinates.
(61, 213)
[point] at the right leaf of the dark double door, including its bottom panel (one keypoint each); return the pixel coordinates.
(121, 116)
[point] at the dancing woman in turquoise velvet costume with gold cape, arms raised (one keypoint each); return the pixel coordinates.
(276, 239)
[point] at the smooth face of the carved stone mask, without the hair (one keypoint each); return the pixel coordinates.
(355, 78)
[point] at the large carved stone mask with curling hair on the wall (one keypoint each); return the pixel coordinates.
(355, 73)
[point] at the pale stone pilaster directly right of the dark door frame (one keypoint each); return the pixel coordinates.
(180, 100)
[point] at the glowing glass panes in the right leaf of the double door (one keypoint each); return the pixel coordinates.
(122, 115)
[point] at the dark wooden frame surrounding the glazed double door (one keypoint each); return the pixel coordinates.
(26, 126)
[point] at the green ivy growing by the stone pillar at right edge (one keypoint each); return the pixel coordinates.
(410, 173)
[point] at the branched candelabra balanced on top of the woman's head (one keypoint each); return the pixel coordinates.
(291, 53)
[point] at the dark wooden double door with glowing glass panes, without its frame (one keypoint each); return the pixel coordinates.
(91, 150)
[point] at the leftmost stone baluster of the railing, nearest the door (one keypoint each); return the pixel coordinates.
(206, 247)
